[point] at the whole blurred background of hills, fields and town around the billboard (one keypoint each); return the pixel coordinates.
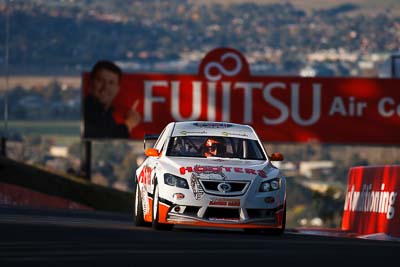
(46, 45)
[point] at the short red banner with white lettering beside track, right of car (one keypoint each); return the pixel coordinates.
(372, 204)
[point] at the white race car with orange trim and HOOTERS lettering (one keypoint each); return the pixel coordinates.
(210, 174)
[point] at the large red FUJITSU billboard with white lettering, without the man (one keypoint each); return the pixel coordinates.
(281, 109)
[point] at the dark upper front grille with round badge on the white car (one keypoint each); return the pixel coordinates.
(235, 188)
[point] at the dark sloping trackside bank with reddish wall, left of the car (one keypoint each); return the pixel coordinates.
(25, 183)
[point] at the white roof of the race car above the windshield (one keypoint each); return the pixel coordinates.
(207, 128)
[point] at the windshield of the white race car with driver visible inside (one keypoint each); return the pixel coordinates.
(224, 147)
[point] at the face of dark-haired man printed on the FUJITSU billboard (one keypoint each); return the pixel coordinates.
(105, 86)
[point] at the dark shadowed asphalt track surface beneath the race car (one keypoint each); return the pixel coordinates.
(39, 237)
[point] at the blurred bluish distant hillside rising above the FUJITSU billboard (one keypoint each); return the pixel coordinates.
(67, 37)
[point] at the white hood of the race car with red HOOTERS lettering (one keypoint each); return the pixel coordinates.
(226, 169)
